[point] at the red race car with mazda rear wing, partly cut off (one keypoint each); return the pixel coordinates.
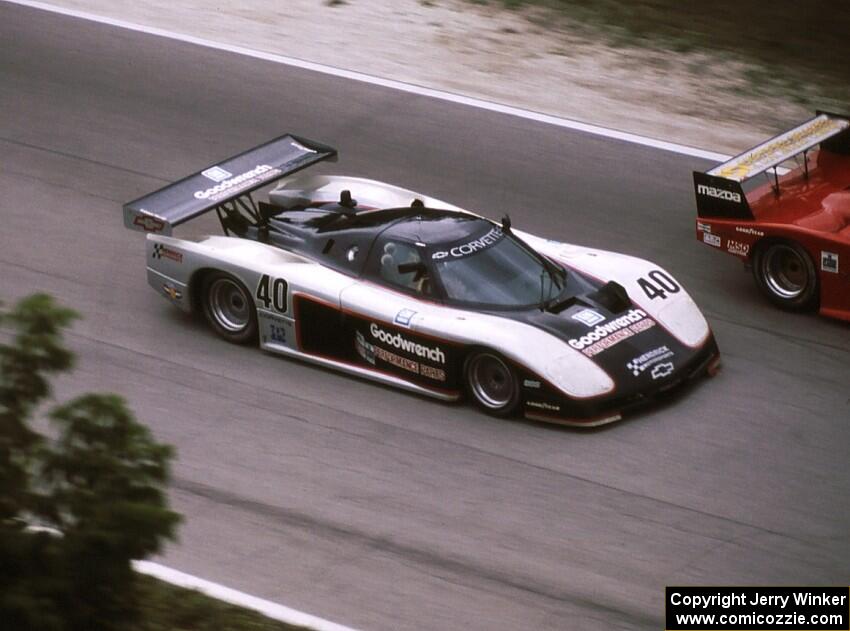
(793, 229)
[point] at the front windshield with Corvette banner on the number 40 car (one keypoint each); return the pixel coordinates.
(498, 272)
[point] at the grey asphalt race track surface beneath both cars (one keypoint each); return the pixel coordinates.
(375, 508)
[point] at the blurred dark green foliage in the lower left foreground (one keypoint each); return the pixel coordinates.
(98, 483)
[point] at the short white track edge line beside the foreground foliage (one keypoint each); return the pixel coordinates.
(265, 607)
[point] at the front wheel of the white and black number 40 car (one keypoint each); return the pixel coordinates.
(492, 383)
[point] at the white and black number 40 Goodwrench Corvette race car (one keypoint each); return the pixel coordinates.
(410, 291)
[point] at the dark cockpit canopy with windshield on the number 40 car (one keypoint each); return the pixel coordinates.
(441, 255)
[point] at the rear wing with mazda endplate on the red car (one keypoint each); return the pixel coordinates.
(719, 190)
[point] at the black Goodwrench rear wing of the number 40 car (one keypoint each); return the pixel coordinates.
(223, 182)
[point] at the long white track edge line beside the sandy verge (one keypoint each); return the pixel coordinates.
(387, 83)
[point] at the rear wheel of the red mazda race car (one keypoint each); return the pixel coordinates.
(786, 274)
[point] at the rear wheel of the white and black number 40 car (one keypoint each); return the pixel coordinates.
(228, 308)
